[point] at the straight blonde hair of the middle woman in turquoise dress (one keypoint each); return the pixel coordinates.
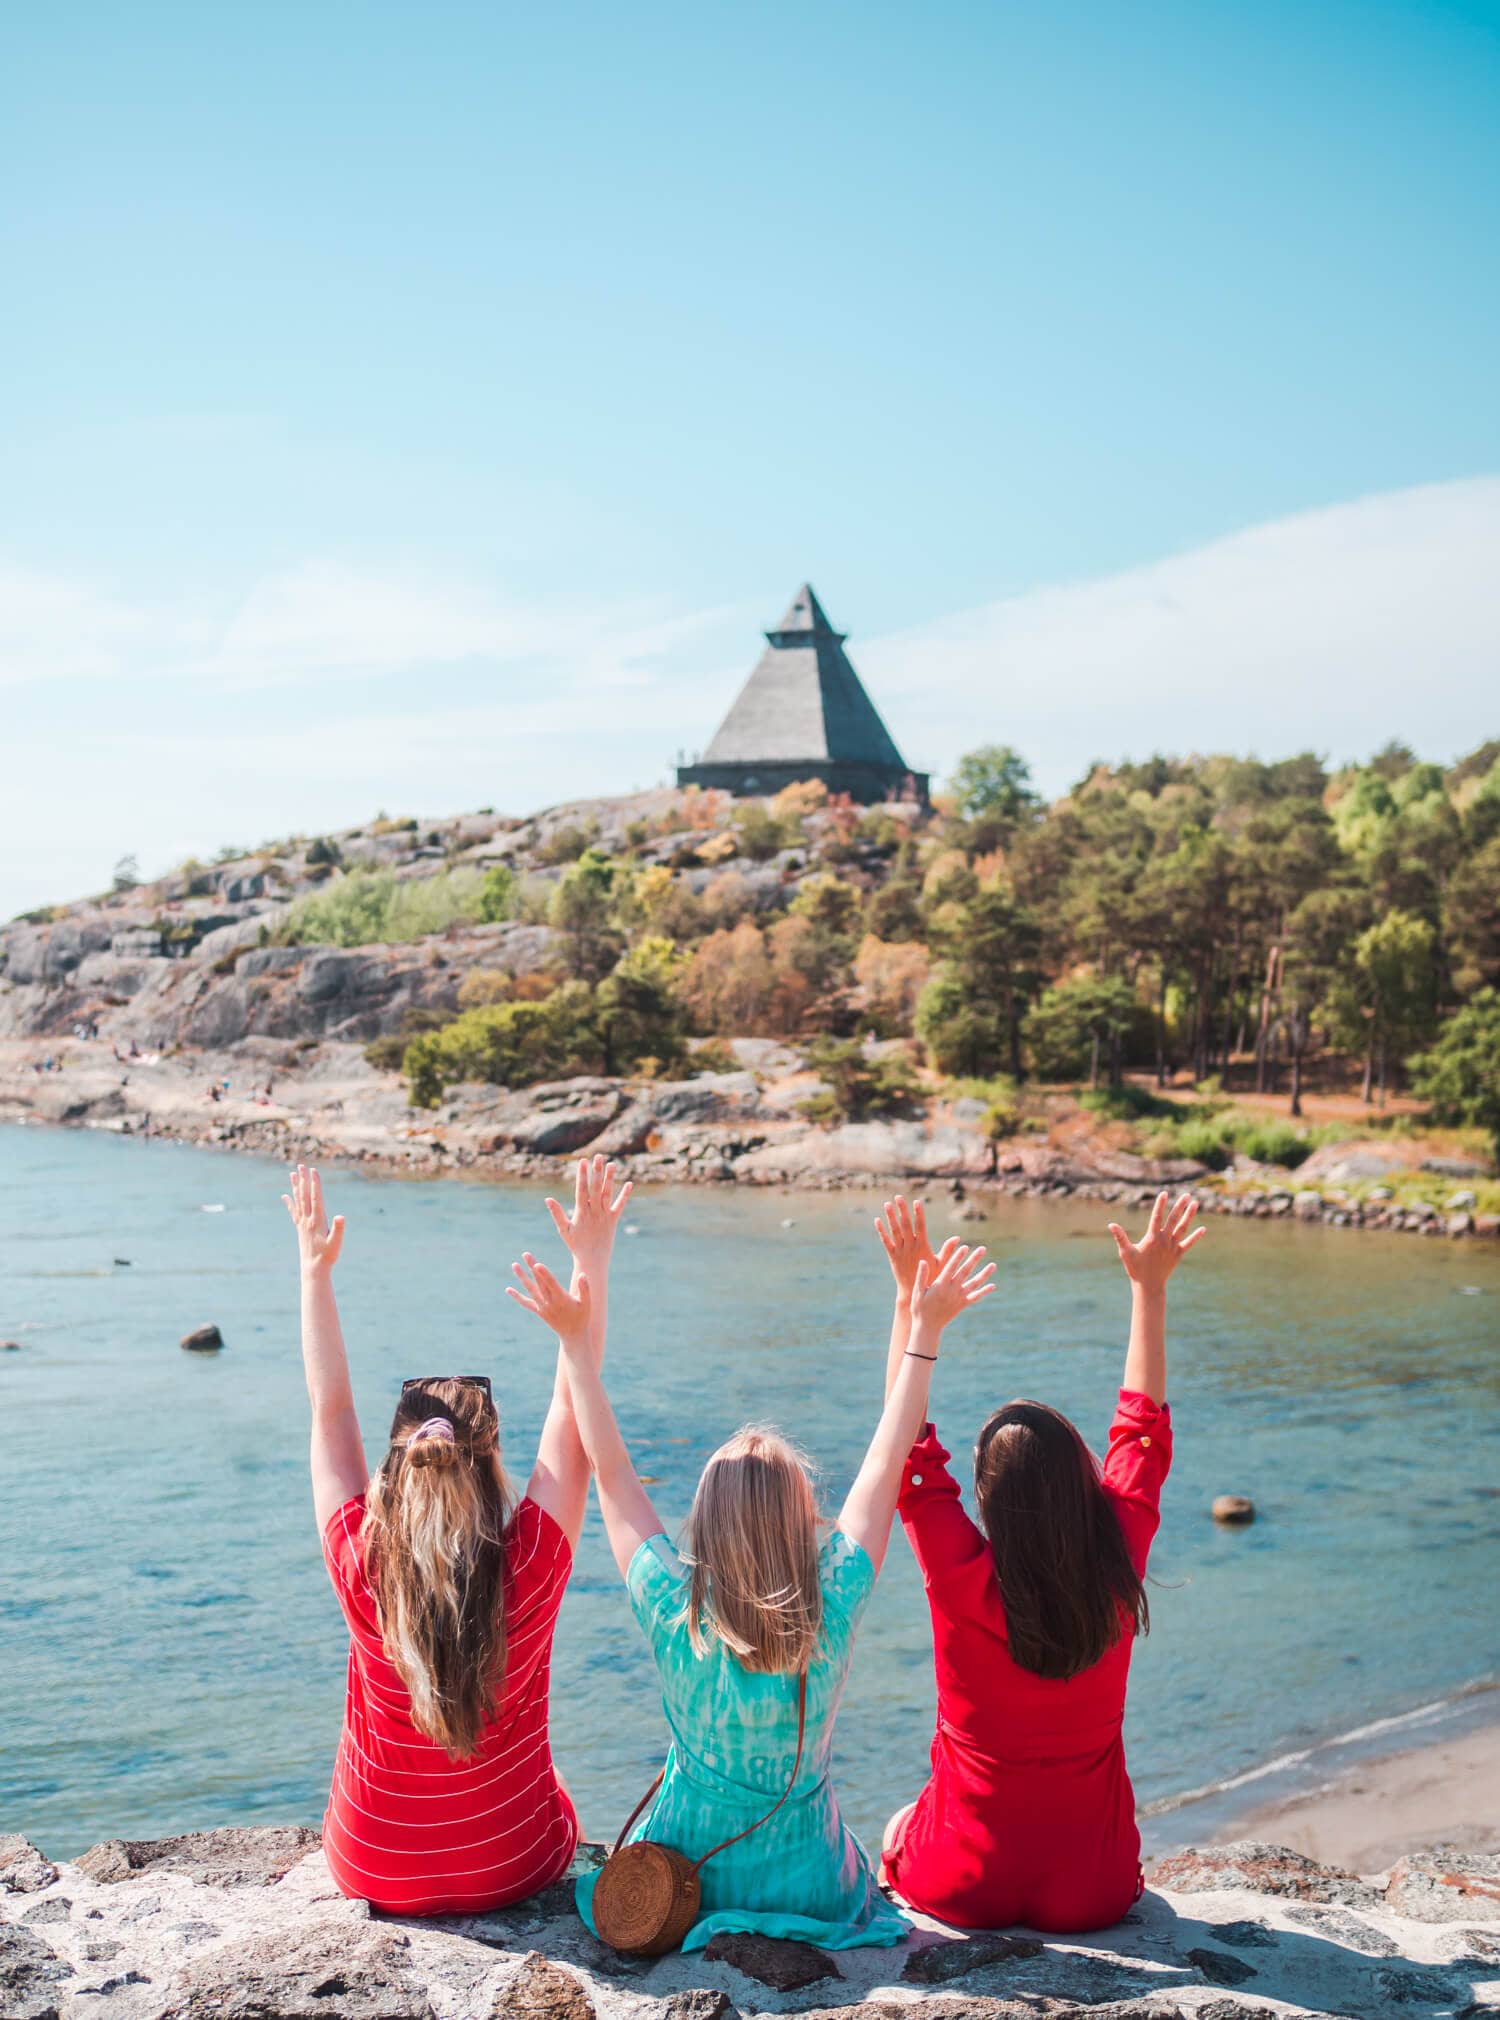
(752, 1544)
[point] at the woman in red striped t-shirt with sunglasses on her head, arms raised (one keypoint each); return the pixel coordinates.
(445, 1797)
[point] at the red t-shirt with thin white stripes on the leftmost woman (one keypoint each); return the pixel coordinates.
(409, 1829)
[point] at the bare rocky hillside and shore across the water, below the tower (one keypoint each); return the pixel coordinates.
(195, 1009)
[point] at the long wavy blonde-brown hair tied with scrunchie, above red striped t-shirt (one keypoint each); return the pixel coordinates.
(435, 1550)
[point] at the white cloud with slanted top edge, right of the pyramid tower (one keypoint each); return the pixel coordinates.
(1327, 631)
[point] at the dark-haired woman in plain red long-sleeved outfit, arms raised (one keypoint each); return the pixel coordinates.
(1031, 1815)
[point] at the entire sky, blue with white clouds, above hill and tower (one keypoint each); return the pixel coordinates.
(427, 405)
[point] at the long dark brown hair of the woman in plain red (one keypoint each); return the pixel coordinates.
(1065, 1573)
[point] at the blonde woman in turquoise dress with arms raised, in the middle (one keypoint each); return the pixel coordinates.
(736, 1621)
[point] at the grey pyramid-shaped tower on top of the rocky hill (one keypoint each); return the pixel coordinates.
(805, 714)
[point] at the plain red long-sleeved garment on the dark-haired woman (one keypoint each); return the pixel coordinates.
(1029, 1815)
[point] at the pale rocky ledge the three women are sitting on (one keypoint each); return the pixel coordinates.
(249, 1926)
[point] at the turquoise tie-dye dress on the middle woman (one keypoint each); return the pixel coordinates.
(734, 1744)
